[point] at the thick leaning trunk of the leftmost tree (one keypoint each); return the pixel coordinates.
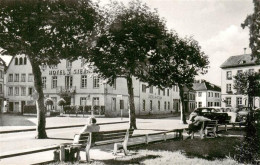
(41, 122)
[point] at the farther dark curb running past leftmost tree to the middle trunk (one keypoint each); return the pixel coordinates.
(57, 127)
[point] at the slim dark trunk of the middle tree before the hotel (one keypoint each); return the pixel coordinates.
(131, 102)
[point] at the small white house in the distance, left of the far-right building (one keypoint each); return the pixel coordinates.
(207, 94)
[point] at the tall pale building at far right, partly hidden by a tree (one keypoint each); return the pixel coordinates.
(232, 66)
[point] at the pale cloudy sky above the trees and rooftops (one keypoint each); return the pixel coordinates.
(215, 24)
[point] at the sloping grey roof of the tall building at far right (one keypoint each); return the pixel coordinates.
(240, 60)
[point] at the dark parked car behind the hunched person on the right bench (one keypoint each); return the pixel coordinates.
(213, 114)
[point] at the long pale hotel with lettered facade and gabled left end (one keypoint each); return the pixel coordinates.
(82, 87)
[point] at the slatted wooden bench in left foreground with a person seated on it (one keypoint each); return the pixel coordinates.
(88, 140)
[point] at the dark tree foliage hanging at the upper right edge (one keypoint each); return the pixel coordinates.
(253, 23)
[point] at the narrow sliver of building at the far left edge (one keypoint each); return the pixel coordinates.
(2, 71)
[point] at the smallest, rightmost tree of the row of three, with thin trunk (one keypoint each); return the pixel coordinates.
(177, 62)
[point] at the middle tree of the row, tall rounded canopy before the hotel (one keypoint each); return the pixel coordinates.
(130, 35)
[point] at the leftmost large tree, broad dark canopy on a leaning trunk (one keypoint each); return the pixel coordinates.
(46, 31)
